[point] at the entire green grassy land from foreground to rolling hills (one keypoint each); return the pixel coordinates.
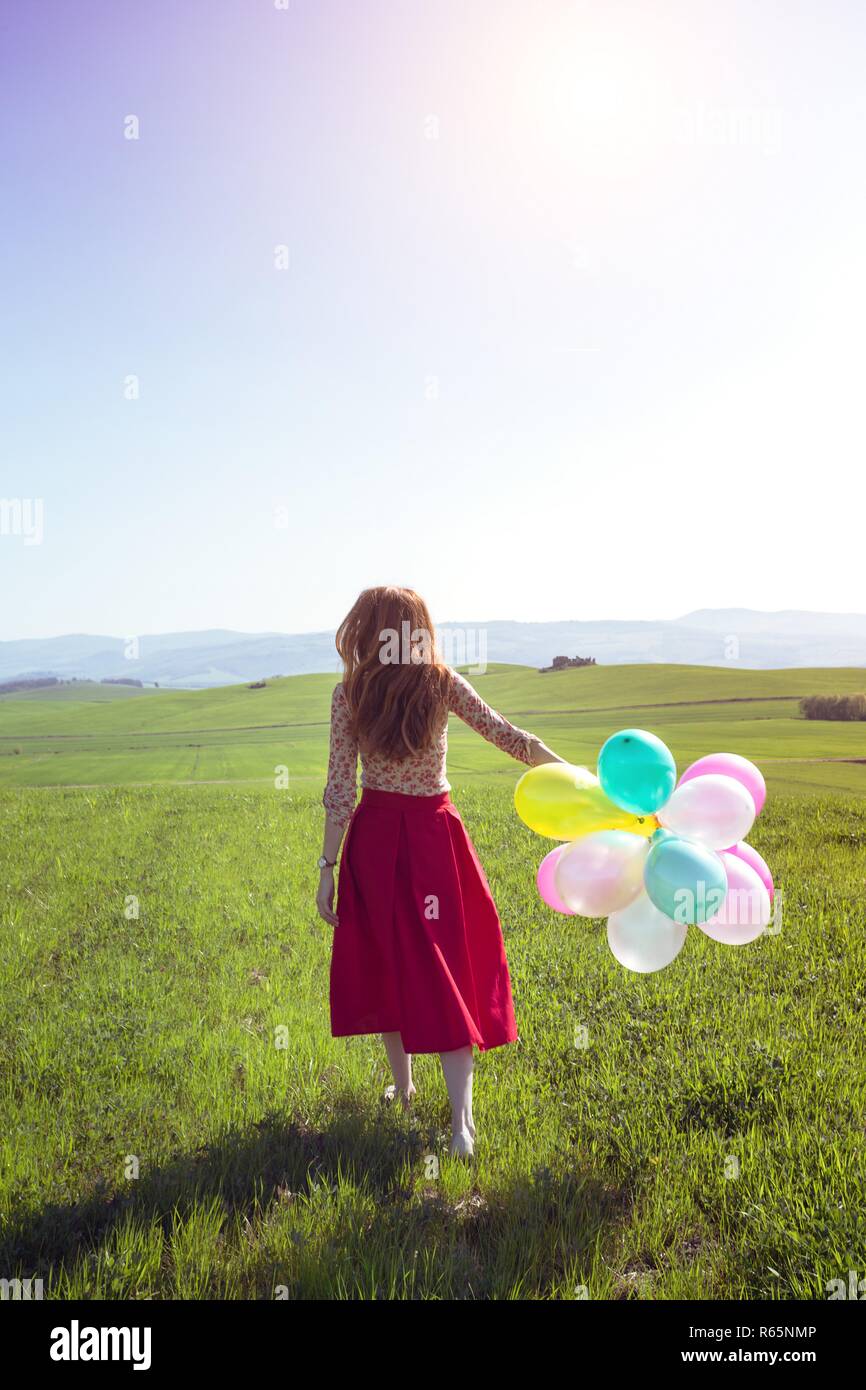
(177, 1121)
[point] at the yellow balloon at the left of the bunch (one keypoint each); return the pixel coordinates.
(562, 801)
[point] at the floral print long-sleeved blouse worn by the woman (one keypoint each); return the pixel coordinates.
(423, 774)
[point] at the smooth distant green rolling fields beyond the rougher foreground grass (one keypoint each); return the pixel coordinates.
(240, 735)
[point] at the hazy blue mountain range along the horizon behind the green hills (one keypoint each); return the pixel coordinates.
(710, 637)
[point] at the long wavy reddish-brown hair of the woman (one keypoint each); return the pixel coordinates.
(397, 686)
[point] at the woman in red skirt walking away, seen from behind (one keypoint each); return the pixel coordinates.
(418, 947)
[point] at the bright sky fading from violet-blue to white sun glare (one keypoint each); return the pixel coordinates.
(550, 311)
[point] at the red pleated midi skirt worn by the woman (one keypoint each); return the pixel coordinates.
(419, 947)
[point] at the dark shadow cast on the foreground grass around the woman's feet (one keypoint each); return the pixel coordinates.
(522, 1238)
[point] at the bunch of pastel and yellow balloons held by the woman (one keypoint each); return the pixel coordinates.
(651, 854)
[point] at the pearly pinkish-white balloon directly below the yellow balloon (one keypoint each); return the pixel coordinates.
(603, 872)
